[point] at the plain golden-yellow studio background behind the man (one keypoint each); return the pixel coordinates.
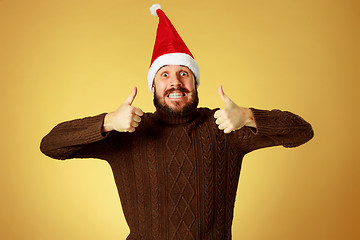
(61, 60)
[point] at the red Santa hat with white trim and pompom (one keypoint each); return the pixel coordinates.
(169, 48)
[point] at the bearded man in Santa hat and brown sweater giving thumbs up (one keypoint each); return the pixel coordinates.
(177, 169)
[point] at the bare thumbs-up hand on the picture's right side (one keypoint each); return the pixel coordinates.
(232, 117)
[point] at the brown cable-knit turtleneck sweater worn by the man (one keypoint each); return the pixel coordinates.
(176, 177)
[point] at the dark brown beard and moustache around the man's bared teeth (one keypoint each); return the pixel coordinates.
(189, 107)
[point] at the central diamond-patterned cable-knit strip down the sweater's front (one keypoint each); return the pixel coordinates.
(181, 183)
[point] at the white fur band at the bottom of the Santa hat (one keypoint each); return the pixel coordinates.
(173, 59)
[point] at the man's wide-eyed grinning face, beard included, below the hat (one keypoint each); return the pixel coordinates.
(175, 89)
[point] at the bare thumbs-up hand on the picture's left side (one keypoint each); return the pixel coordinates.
(126, 118)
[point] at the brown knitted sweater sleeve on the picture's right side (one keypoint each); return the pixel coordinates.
(276, 128)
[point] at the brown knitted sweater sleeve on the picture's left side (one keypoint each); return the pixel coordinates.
(67, 139)
